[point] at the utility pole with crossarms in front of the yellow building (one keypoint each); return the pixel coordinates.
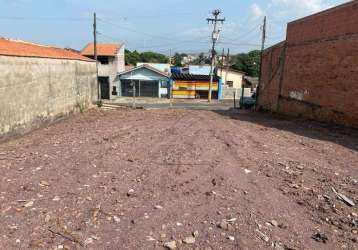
(215, 38)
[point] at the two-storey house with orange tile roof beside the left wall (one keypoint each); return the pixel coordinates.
(111, 61)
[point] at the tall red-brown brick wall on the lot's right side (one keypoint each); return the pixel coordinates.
(317, 68)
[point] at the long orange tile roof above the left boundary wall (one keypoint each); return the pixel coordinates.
(9, 47)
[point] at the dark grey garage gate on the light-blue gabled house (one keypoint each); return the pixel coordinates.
(143, 88)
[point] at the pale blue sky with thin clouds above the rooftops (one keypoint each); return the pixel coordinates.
(165, 26)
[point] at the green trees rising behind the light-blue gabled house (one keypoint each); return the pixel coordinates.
(132, 58)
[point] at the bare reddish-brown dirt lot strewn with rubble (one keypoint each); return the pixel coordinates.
(199, 179)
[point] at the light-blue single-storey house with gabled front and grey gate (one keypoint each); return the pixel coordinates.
(145, 80)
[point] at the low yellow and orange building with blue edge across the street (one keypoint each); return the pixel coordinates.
(194, 86)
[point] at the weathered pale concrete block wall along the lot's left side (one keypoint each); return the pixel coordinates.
(34, 91)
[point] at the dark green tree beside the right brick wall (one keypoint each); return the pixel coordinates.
(248, 62)
